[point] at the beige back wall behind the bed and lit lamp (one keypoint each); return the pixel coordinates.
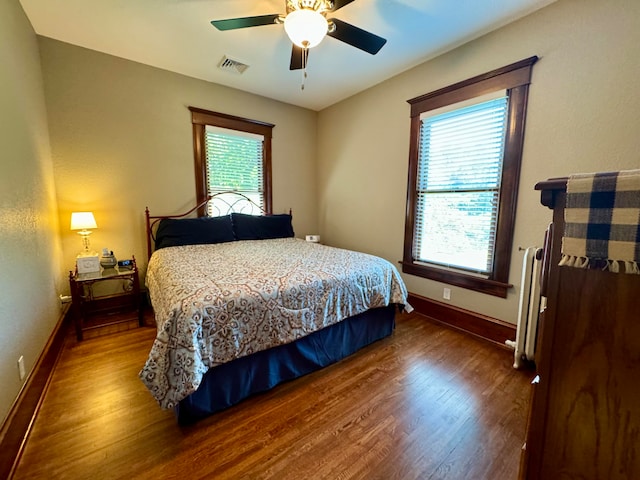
(121, 140)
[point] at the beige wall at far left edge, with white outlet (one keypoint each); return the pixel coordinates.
(30, 254)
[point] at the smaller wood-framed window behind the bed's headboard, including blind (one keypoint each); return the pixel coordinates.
(231, 153)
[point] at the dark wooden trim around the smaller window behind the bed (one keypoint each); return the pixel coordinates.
(200, 119)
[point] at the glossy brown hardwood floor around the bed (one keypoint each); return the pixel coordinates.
(427, 403)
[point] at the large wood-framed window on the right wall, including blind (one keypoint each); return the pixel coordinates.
(464, 166)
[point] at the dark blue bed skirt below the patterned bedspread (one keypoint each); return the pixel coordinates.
(230, 383)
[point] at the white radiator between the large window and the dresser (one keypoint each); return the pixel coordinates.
(529, 308)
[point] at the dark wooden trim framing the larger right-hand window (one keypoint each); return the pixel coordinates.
(514, 78)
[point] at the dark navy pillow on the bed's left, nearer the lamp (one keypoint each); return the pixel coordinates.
(173, 232)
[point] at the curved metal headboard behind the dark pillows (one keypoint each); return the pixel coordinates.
(218, 204)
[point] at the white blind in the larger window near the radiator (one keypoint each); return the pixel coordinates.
(459, 171)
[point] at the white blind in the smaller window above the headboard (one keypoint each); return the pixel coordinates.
(235, 162)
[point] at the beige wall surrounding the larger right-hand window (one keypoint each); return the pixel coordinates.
(584, 113)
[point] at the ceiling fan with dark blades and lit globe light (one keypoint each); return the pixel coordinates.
(306, 24)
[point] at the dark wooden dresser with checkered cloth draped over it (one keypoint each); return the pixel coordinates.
(585, 411)
